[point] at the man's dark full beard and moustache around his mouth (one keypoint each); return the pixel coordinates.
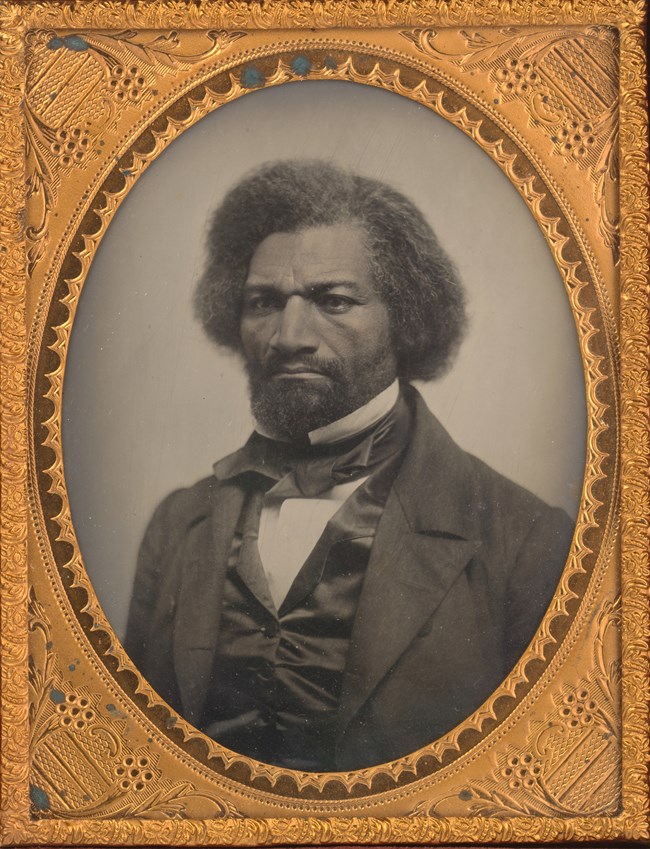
(290, 409)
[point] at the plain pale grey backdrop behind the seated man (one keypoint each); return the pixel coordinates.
(149, 404)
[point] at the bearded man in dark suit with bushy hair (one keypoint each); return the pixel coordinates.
(350, 584)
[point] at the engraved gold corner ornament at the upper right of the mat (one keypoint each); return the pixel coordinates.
(567, 81)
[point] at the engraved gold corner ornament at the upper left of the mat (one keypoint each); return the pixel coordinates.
(78, 87)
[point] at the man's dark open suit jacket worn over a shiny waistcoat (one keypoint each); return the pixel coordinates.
(462, 569)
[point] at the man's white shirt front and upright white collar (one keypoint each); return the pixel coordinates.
(290, 527)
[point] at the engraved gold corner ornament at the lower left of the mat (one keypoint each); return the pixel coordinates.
(81, 762)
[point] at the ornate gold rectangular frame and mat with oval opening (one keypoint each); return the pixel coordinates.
(92, 93)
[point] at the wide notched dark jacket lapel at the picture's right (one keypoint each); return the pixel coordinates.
(425, 539)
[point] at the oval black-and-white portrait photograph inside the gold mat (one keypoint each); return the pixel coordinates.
(328, 397)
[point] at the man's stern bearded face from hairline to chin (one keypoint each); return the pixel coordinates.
(314, 332)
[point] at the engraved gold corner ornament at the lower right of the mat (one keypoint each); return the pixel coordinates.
(571, 765)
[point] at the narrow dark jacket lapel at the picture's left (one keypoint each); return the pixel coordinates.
(203, 570)
